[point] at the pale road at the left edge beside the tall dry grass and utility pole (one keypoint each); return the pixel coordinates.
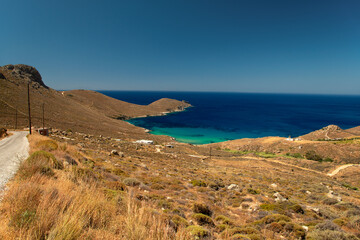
(13, 150)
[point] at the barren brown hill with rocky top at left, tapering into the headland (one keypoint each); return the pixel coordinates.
(78, 110)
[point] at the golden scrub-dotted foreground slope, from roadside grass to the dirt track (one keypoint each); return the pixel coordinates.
(63, 191)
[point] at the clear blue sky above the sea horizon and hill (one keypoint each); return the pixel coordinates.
(303, 46)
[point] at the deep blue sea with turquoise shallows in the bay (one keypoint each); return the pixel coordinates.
(218, 117)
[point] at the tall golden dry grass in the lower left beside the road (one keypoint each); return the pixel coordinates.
(61, 206)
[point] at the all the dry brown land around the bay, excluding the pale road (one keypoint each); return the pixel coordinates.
(90, 180)
